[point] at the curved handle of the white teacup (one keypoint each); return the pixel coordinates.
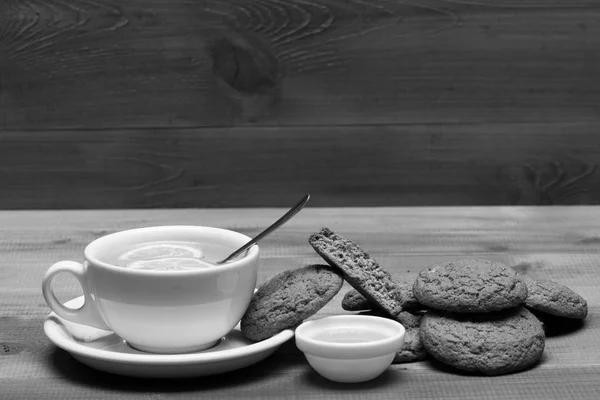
(88, 313)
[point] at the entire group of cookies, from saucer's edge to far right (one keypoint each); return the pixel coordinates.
(471, 314)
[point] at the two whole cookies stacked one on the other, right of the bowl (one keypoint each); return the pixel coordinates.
(476, 321)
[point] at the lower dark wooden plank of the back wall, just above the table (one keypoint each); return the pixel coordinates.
(412, 165)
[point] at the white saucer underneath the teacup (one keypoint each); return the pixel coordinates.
(105, 351)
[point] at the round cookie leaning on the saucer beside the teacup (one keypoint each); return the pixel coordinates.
(288, 298)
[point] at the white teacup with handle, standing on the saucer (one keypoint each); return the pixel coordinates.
(161, 311)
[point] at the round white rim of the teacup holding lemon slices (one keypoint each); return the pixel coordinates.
(250, 256)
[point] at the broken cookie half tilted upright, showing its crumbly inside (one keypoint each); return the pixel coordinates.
(361, 271)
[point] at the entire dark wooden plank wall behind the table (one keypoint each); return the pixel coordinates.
(175, 103)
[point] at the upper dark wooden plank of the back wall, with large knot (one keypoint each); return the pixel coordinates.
(159, 63)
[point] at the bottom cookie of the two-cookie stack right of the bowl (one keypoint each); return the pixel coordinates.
(494, 343)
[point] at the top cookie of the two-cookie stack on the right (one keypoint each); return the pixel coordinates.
(469, 286)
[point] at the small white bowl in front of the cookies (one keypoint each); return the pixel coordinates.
(350, 348)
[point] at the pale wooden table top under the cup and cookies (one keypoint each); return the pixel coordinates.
(559, 243)
